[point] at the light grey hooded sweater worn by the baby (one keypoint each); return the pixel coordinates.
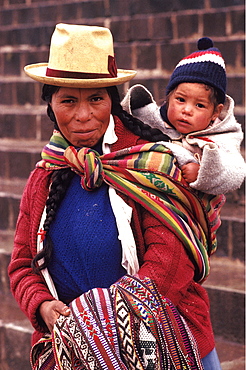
(216, 149)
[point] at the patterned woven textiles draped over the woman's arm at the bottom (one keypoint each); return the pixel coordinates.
(128, 326)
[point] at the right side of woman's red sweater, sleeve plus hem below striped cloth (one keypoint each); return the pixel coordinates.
(169, 266)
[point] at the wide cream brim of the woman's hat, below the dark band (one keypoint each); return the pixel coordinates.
(38, 73)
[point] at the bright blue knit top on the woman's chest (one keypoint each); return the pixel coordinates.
(87, 252)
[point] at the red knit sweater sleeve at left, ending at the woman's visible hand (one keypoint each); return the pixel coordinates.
(28, 288)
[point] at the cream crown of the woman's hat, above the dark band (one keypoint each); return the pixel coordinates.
(82, 49)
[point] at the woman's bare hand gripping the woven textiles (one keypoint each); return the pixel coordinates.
(51, 310)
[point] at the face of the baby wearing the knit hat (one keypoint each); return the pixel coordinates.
(190, 108)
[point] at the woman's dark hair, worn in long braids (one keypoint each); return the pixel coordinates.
(61, 179)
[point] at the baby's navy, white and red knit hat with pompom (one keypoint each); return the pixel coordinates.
(206, 65)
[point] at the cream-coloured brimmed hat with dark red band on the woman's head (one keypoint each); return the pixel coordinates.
(82, 57)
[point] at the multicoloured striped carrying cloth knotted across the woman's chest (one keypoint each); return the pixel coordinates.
(148, 174)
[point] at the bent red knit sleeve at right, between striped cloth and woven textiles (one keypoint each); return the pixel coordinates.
(165, 261)
